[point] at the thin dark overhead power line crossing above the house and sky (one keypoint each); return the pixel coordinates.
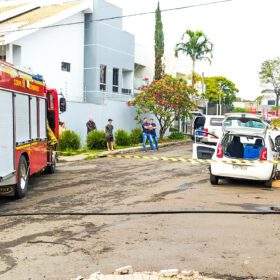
(116, 17)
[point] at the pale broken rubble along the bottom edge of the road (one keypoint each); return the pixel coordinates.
(126, 273)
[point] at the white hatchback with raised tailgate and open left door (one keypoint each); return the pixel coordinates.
(245, 137)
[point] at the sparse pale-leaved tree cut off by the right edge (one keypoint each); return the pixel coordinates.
(270, 76)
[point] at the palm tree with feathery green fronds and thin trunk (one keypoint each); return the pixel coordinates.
(196, 45)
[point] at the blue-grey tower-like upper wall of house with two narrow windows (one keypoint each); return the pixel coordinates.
(106, 43)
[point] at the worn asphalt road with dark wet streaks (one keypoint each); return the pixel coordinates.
(63, 247)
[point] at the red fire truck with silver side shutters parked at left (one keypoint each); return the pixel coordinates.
(28, 109)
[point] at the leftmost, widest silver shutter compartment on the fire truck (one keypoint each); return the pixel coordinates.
(6, 134)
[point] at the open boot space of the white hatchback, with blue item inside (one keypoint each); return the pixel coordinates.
(242, 147)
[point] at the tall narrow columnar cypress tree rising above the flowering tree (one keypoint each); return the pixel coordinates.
(159, 45)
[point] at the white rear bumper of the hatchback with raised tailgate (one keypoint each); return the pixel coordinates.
(255, 171)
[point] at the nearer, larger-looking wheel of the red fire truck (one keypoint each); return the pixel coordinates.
(22, 184)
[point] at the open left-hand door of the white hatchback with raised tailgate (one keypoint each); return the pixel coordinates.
(202, 150)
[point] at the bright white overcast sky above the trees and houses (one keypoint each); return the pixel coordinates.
(244, 34)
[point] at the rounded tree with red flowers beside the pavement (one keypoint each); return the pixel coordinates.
(166, 98)
